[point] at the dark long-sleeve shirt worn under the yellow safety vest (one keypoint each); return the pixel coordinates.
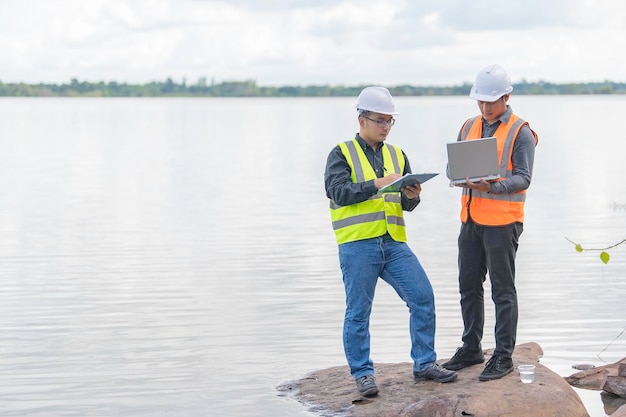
(338, 180)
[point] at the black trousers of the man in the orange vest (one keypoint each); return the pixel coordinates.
(490, 249)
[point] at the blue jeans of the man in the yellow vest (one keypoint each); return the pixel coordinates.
(362, 263)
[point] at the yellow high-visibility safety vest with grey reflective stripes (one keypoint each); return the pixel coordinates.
(381, 213)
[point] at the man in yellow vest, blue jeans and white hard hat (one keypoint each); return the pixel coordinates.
(369, 228)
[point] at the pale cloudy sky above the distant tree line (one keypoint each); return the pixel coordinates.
(306, 42)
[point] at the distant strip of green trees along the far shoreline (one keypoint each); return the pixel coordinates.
(249, 88)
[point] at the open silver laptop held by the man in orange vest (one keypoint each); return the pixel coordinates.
(475, 159)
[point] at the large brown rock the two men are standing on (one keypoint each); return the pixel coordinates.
(332, 392)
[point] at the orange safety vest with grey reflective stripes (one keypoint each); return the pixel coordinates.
(495, 209)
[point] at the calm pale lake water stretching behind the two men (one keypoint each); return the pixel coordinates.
(175, 256)
